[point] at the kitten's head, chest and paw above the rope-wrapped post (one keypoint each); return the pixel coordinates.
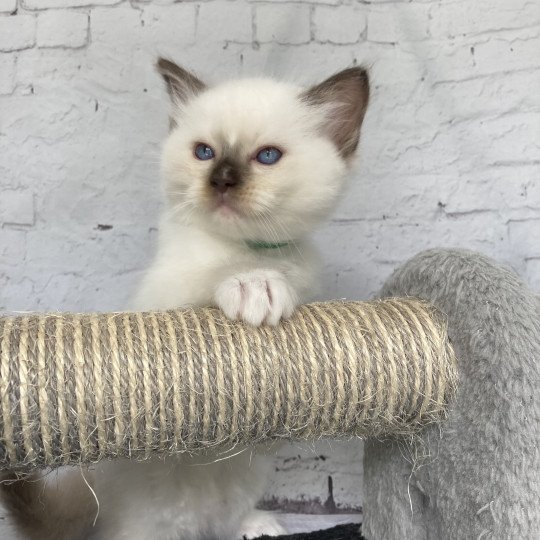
(250, 168)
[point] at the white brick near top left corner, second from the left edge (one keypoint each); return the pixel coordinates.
(62, 28)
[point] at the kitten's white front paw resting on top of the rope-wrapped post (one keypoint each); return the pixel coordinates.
(257, 297)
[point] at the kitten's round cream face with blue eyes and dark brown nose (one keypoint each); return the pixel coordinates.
(251, 159)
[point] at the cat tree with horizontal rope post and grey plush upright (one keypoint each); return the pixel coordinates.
(444, 459)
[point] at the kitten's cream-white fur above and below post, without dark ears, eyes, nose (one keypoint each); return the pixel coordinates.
(203, 259)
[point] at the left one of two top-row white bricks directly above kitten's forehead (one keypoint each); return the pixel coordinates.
(225, 21)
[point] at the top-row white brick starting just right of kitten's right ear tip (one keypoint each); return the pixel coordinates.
(396, 22)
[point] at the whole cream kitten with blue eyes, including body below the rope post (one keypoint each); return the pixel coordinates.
(250, 167)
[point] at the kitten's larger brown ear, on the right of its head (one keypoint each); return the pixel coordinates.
(345, 95)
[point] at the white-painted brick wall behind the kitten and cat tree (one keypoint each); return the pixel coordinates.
(449, 155)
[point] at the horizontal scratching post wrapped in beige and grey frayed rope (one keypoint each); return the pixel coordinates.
(79, 388)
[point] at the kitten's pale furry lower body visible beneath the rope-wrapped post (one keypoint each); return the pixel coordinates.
(187, 498)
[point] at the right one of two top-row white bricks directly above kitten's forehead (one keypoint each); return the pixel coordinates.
(283, 24)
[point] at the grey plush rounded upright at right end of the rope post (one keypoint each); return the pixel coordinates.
(477, 475)
